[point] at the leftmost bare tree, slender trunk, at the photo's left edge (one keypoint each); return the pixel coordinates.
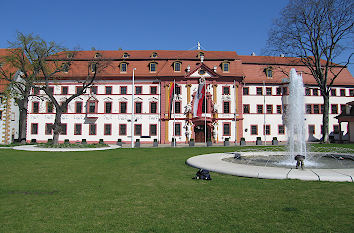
(22, 72)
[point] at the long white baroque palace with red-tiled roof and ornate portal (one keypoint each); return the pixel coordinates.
(246, 97)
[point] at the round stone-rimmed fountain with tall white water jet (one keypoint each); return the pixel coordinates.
(330, 166)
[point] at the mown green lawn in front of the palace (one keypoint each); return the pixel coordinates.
(151, 190)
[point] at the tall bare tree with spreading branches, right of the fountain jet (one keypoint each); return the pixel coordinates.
(317, 32)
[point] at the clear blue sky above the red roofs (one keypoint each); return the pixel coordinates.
(232, 25)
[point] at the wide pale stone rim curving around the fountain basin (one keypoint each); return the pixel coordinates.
(214, 162)
